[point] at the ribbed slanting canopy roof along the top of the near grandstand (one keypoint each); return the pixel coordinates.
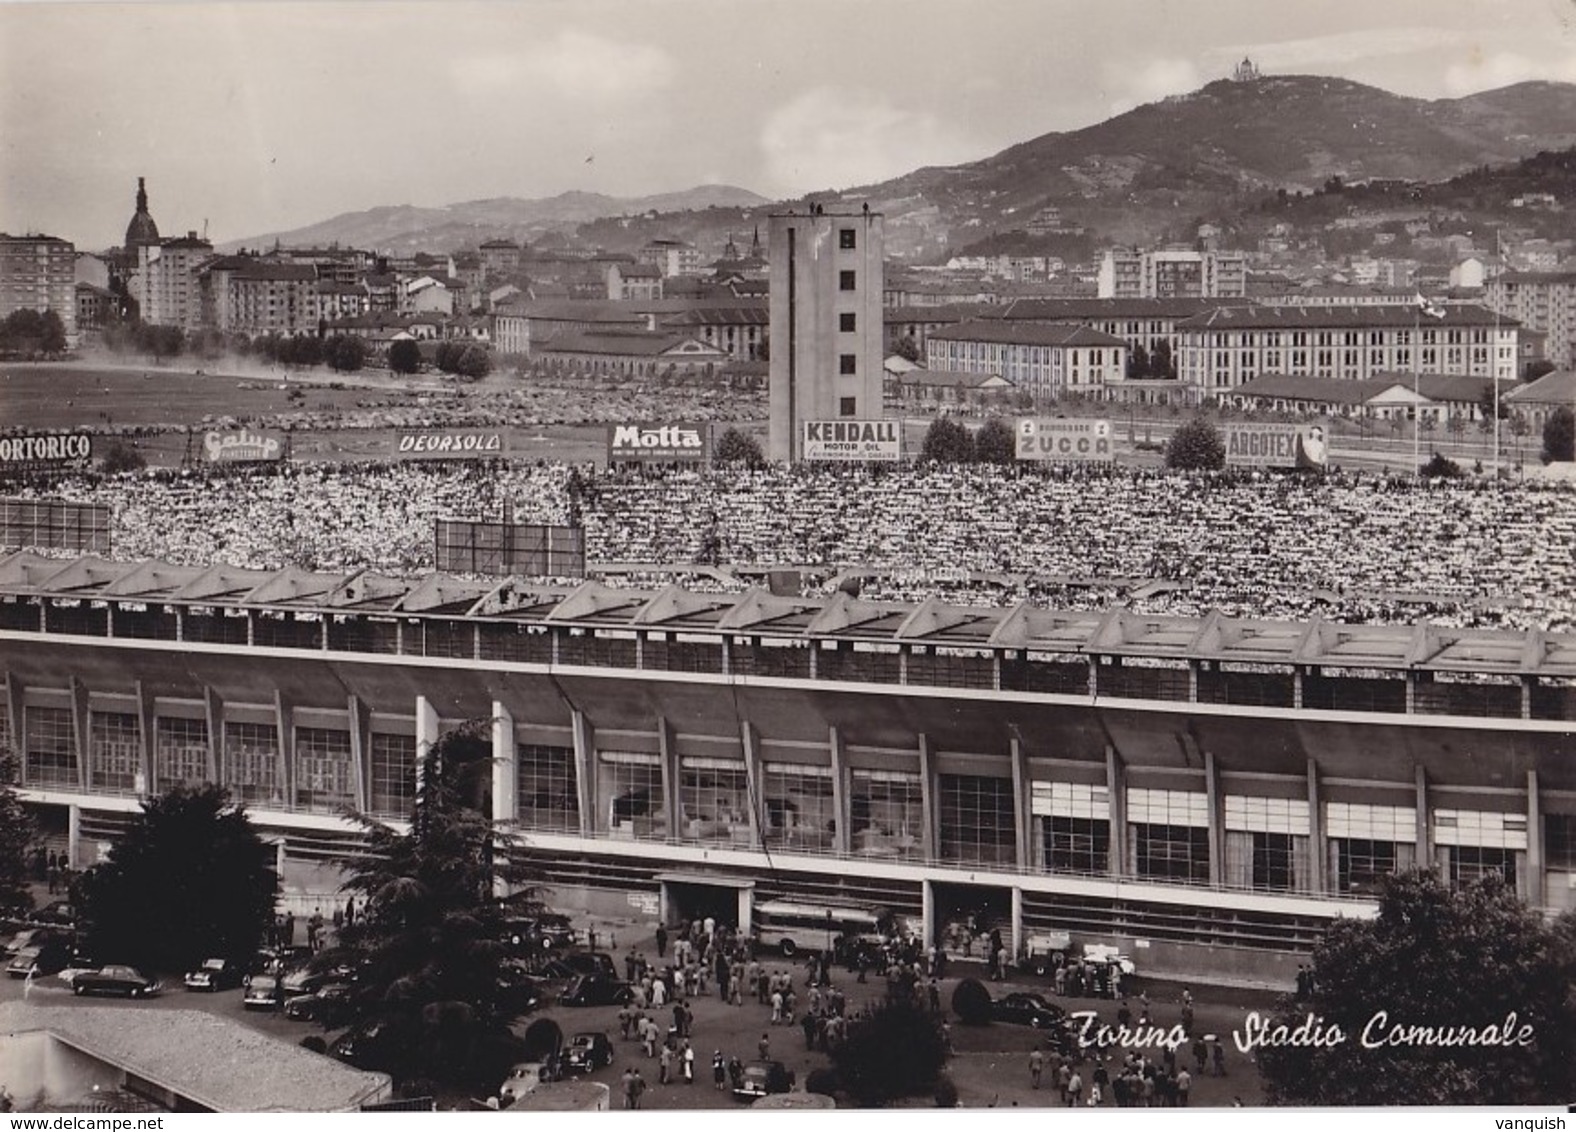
(595, 606)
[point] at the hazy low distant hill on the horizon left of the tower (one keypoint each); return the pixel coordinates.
(455, 228)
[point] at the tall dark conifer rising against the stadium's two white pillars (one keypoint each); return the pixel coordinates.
(428, 944)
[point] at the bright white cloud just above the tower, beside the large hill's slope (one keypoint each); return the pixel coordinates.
(836, 138)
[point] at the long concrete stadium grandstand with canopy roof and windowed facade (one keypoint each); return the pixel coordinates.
(1205, 794)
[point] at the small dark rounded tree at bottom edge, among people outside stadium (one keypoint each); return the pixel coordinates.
(896, 1052)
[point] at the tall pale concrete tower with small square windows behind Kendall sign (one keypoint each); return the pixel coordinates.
(827, 288)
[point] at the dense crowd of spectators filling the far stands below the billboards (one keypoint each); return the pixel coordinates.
(1353, 548)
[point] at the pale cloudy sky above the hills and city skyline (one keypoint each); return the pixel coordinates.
(259, 117)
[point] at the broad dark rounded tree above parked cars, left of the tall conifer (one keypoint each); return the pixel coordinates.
(190, 881)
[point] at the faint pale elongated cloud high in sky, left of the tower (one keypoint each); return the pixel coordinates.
(573, 64)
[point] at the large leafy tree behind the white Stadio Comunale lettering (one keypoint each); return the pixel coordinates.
(1471, 958)
